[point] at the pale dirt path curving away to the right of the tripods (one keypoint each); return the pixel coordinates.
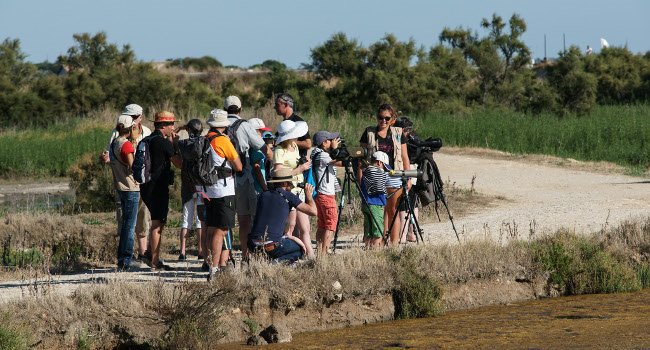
(540, 198)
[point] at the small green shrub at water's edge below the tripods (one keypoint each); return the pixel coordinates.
(416, 294)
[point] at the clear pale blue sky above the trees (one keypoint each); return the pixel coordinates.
(247, 32)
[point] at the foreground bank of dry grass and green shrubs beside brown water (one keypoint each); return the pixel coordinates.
(194, 315)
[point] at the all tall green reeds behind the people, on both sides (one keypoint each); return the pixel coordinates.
(617, 134)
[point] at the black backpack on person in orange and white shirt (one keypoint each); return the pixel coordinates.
(198, 164)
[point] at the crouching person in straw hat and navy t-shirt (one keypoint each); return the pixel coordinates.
(273, 208)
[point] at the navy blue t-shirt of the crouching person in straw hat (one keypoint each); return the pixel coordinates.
(273, 208)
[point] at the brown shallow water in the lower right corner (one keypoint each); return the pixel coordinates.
(606, 321)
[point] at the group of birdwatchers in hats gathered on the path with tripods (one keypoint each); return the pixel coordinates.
(270, 183)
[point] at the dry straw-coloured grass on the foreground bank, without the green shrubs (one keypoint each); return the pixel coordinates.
(190, 314)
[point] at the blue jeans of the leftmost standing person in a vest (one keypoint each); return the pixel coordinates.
(129, 204)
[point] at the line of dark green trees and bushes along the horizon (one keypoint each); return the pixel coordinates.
(463, 72)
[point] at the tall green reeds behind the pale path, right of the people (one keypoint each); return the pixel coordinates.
(617, 134)
